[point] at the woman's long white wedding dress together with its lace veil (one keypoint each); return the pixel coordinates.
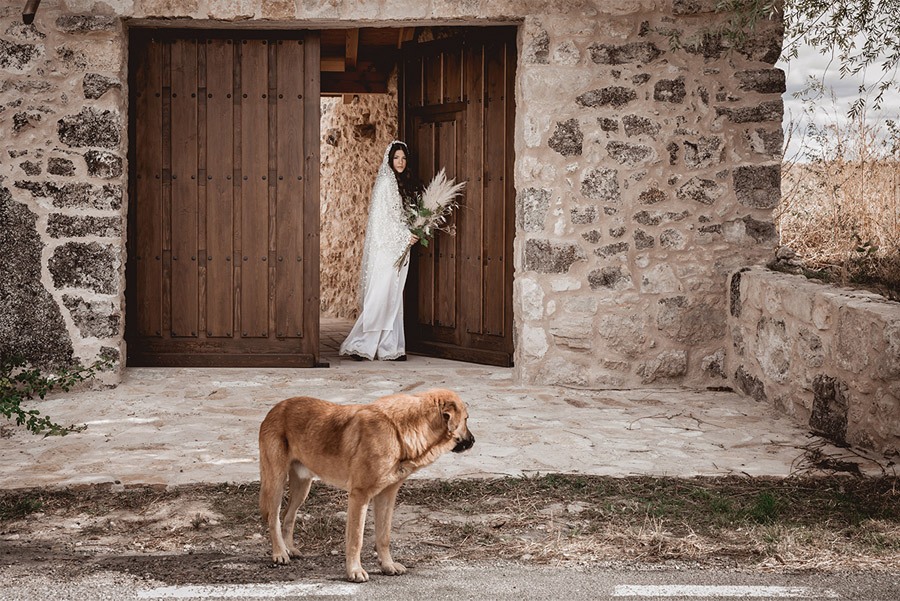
(378, 332)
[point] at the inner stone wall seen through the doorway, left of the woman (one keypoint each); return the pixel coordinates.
(354, 137)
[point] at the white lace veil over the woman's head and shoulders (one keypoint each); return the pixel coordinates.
(386, 232)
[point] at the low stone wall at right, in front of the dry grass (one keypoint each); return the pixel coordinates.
(825, 355)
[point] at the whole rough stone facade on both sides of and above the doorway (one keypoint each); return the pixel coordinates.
(645, 173)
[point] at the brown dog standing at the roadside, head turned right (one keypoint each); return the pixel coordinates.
(368, 450)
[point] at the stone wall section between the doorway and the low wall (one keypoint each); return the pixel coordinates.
(643, 180)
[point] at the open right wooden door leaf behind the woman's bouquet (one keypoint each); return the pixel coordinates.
(457, 105)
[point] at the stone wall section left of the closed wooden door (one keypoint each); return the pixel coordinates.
(63, 134)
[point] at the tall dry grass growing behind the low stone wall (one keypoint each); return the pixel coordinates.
(840, 208)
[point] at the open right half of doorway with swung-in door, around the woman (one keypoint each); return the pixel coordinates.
(449, 93)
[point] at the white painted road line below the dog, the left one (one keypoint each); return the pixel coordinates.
(237, 591)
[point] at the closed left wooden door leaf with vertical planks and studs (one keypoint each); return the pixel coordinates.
(223, 244)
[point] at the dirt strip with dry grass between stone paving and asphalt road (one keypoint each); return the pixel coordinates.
(213, 534)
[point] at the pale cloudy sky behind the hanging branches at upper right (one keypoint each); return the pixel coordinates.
(811, 62)
